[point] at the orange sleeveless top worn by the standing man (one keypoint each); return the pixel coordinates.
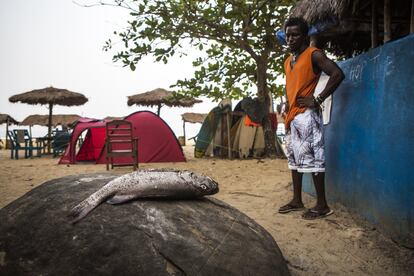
(300, 82)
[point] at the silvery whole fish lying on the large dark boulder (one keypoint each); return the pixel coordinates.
(149, 183)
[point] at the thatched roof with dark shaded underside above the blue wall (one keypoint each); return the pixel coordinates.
(346, 24)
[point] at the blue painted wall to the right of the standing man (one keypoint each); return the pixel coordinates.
(370, 139)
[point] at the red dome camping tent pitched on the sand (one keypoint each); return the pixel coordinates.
(157, 142)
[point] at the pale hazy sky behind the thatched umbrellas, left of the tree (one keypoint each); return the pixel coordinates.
(58, 43)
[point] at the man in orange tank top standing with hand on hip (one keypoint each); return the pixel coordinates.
(305, 145)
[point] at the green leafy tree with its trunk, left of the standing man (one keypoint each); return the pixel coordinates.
(236, 36)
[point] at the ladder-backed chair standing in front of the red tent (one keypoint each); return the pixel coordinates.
(120, 143)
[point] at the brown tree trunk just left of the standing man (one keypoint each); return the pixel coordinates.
(263, 95)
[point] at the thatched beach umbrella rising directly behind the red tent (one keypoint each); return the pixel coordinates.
(160, 97)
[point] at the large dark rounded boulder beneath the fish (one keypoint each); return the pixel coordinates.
(141, 237)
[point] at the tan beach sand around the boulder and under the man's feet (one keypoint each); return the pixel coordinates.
(341, 244)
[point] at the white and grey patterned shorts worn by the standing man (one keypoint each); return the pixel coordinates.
(304, 143)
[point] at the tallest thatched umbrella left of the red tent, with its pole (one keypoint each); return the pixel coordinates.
(50, 96)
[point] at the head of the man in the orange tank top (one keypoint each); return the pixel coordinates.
(296, 30)
